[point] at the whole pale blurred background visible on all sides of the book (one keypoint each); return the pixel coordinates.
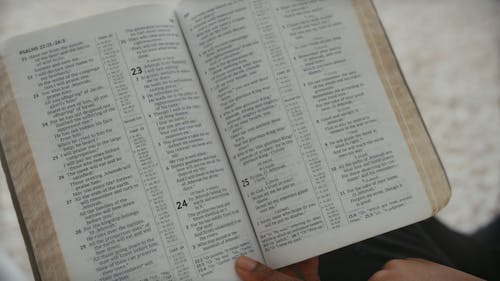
(449, 51)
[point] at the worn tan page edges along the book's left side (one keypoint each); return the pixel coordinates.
(26, 189)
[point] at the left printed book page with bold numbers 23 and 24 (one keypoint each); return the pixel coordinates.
(133, 170)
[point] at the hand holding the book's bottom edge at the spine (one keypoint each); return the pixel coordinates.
(250, 270)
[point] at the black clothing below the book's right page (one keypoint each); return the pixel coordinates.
(478, 254)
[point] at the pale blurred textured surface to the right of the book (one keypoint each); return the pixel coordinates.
(450, 54)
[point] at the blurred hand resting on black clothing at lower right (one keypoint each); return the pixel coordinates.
(419, 269)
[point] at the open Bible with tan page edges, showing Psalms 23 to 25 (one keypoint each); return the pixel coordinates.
(160, 144)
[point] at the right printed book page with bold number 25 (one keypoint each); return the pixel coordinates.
(313, 141)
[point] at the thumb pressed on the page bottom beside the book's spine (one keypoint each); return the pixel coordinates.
(250, 270)
